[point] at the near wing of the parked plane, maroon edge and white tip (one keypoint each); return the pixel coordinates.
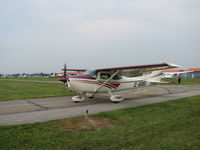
(137, 70)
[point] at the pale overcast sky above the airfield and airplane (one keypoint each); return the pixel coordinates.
(41, 35)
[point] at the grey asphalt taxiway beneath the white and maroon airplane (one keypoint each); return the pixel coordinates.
(44, 109)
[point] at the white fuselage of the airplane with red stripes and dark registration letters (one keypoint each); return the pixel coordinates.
(88, 84)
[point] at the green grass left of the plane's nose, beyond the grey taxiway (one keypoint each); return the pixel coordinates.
(12, 90)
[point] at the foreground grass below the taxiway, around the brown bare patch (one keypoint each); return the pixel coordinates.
(172, 125)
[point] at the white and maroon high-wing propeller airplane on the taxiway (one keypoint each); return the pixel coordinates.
(108, 80)
